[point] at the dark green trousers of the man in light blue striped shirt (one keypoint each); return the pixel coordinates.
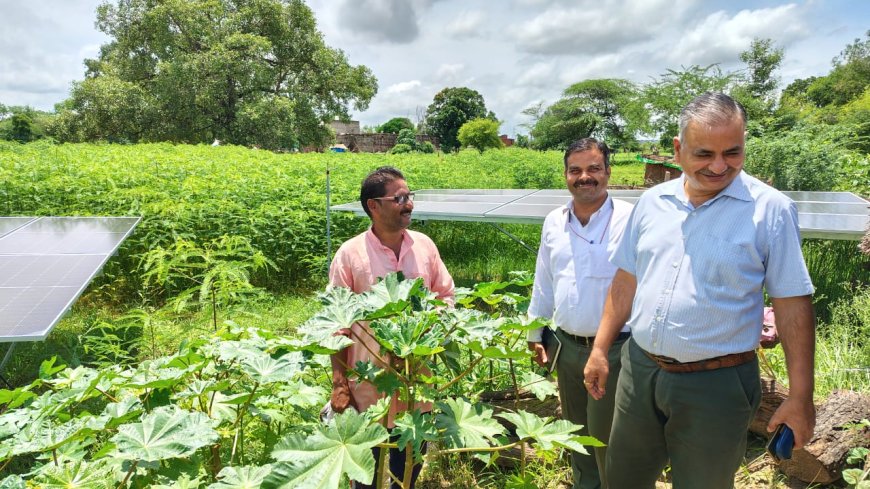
(697, 421)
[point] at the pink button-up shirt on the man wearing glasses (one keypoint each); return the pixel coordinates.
(358, 265)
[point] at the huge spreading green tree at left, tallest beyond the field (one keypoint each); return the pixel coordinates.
(242, 71)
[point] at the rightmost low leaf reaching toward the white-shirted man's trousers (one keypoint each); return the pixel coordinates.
(549, 434)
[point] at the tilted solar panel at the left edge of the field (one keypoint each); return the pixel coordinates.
(46, 263)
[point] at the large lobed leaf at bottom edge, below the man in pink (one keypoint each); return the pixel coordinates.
(319, 460)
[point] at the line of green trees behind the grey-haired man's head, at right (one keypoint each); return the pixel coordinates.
(622, 112)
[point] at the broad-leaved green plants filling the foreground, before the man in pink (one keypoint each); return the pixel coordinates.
(239, 409)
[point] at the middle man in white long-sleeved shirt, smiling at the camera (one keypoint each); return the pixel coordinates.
(572, 276)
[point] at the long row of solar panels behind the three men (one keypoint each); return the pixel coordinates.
(828, 215)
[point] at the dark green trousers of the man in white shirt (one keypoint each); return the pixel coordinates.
(580, 408)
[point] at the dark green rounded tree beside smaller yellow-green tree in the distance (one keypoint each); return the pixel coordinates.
(451, 108)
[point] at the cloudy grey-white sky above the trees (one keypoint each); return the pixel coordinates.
(514, 52)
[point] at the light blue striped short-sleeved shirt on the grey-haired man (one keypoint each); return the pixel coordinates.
(701, 271)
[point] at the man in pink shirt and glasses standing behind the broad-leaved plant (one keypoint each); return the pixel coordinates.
(387, 246)
